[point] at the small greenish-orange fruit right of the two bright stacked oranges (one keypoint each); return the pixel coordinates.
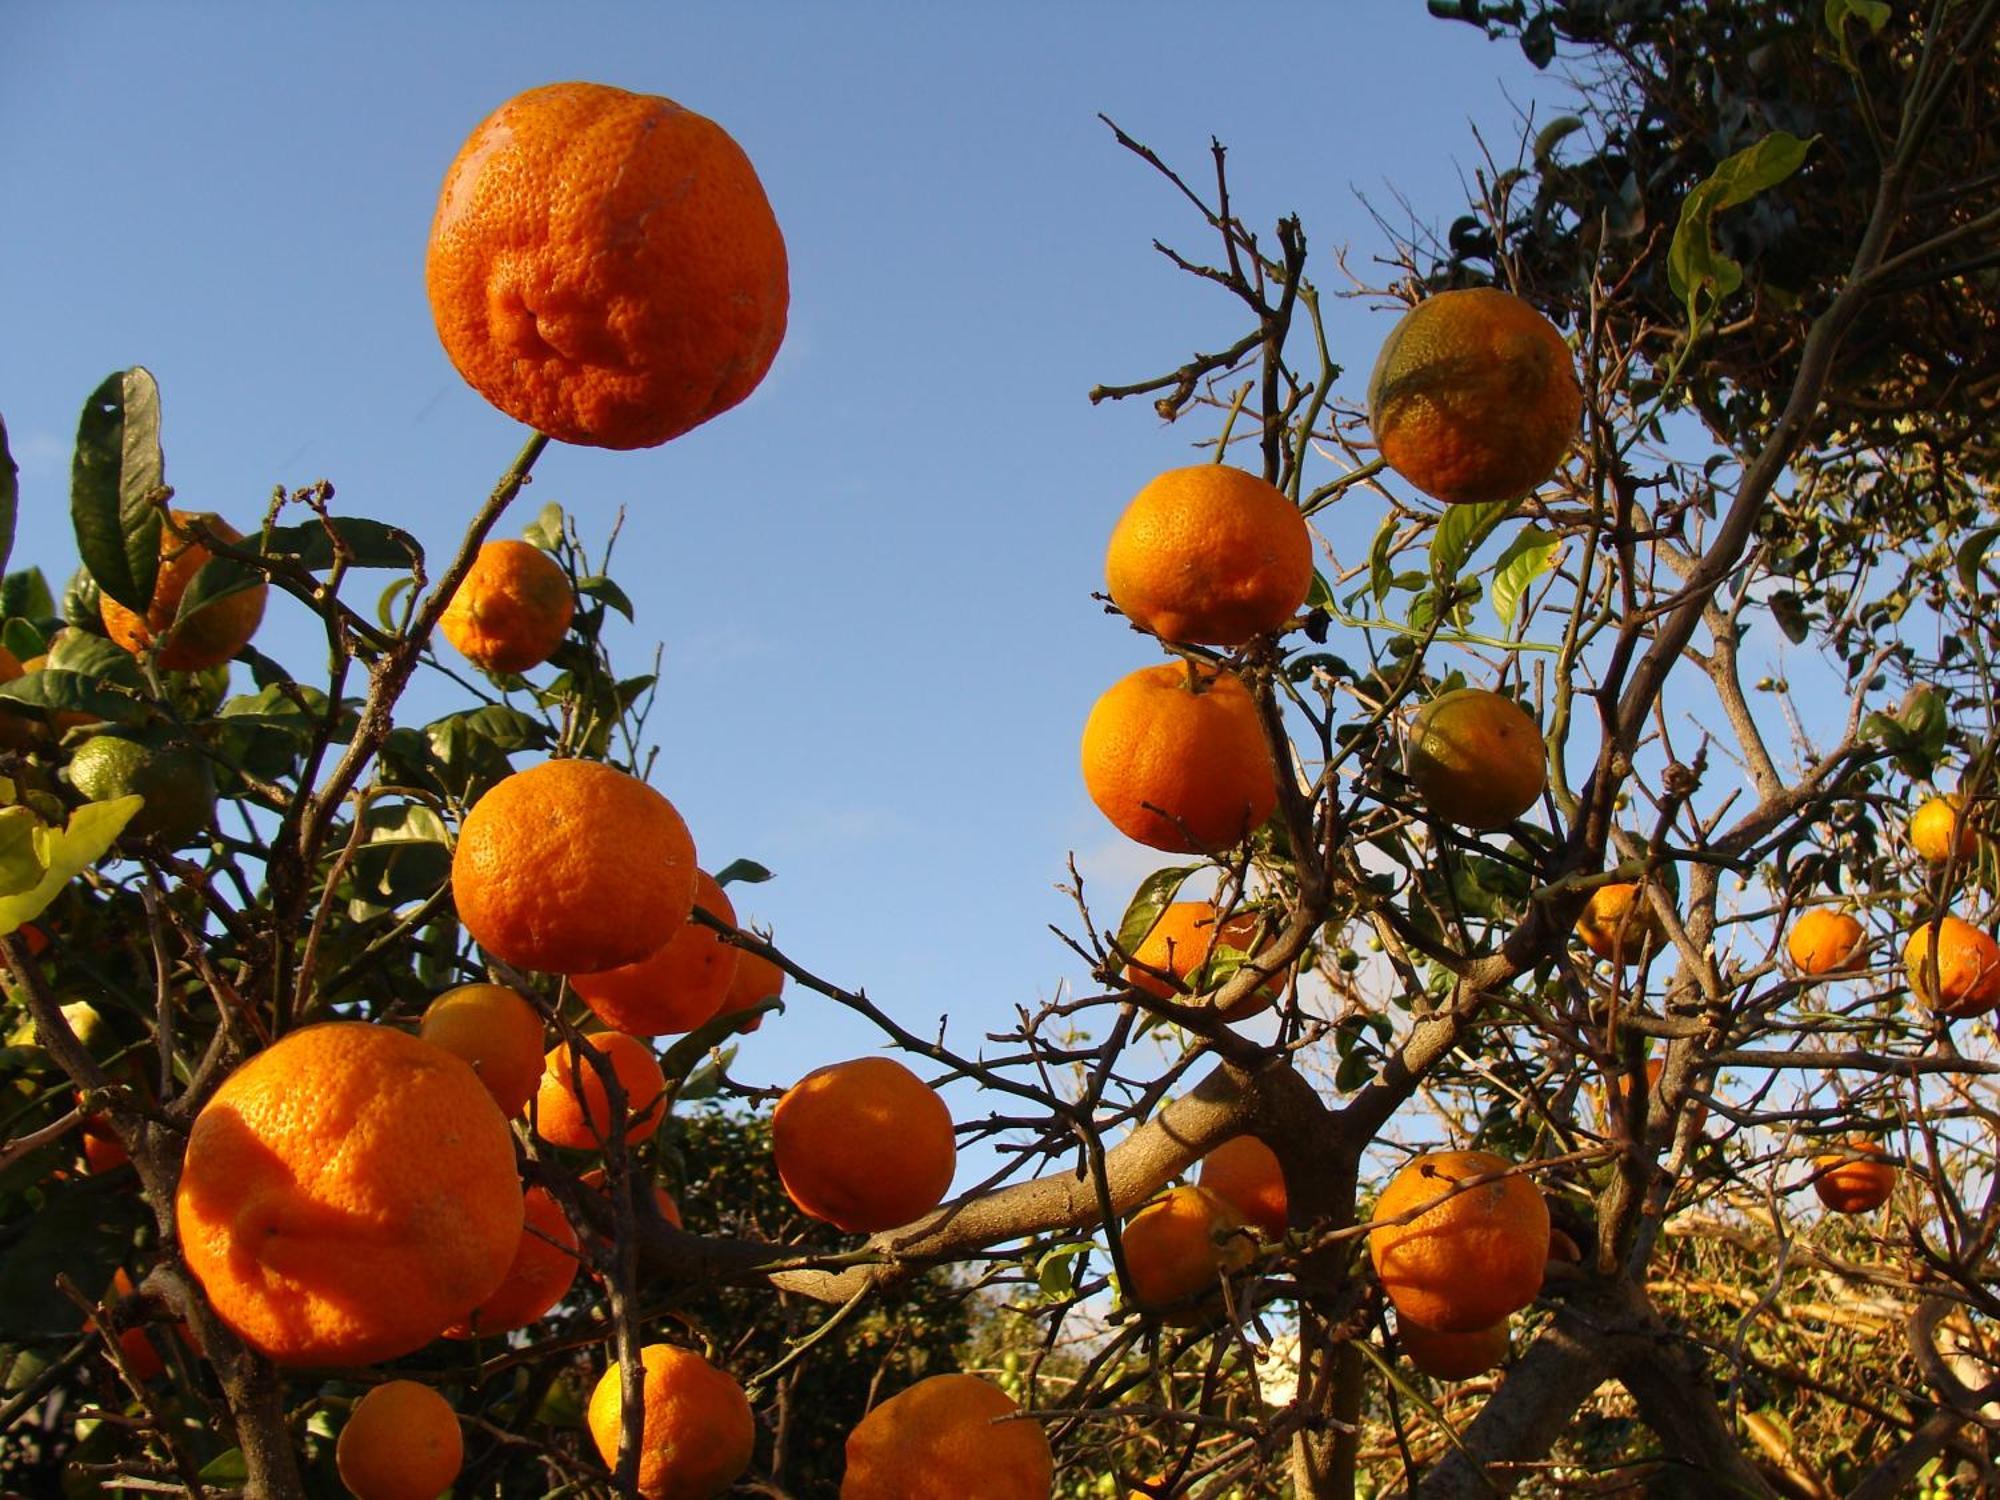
(1477, 759)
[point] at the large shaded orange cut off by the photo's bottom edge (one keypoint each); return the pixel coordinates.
(949, 1437)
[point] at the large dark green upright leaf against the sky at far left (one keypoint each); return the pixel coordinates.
(115, 479)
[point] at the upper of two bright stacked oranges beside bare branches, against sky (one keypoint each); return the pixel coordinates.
(1211, 555)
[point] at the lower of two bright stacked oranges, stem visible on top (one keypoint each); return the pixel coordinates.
(1175, 757)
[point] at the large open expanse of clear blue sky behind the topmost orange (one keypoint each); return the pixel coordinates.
(871, 581)
